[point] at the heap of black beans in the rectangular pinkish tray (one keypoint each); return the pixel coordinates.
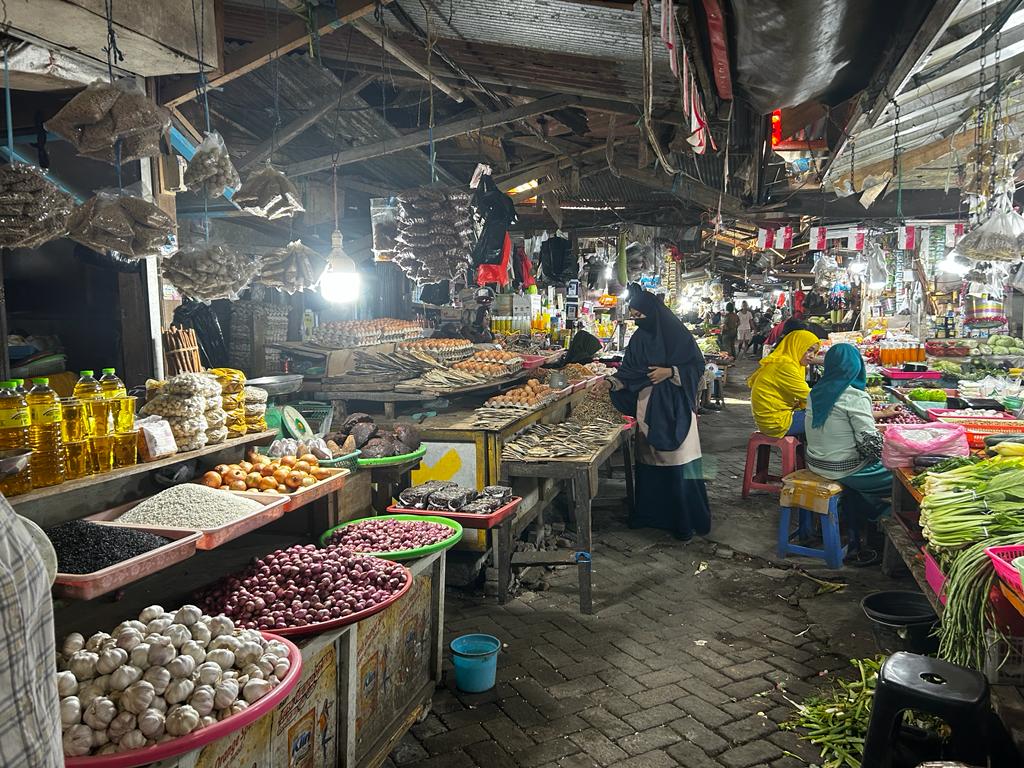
(86, 547)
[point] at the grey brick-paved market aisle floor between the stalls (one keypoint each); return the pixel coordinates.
(687, 662)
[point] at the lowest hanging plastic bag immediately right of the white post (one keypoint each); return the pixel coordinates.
(210, 272)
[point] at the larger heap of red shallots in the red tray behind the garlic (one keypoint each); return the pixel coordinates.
(312, 586)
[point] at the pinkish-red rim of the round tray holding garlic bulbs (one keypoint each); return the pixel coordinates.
(206, 736)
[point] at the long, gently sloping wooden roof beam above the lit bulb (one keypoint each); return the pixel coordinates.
(439, 134)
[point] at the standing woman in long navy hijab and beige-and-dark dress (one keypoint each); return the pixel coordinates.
(658, 385)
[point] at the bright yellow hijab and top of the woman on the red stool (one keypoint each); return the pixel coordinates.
(779, 388)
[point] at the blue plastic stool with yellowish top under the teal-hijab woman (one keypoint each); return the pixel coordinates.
(810, 495)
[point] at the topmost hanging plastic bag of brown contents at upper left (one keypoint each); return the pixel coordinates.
(112, 122)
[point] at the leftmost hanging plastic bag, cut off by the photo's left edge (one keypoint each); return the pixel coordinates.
(33, 211)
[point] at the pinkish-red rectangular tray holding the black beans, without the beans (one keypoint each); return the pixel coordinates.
(89, 586)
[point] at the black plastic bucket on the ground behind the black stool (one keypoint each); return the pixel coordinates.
(902, 621)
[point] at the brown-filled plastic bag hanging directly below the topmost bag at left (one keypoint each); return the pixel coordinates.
(121, 223)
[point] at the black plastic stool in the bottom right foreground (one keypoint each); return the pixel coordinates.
(959, 696)
